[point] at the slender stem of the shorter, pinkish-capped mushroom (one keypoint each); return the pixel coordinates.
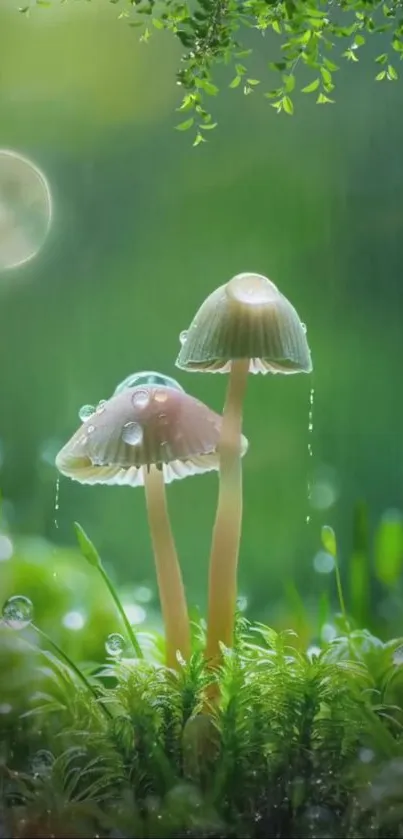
(169, 577)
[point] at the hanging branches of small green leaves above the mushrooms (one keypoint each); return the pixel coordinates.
(309, 39)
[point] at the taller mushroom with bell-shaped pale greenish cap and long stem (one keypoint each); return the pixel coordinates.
(245, 326)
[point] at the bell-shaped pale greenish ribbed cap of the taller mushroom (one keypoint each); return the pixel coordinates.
(248, 317)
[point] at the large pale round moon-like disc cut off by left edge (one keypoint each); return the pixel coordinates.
(25, 209)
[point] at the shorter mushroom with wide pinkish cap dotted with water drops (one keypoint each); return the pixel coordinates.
(149, 436)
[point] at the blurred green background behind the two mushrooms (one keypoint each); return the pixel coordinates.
(144, 227)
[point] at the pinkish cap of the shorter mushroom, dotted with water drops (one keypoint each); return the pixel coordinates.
(147, 426)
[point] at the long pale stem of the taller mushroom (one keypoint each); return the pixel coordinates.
(228, 521)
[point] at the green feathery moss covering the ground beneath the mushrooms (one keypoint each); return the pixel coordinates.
(299, 745)
